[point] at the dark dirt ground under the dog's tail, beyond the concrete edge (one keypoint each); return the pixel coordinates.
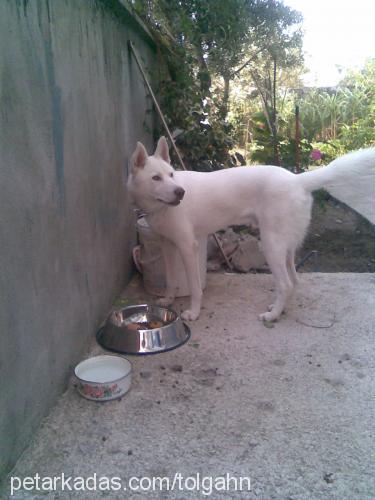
(339, 240)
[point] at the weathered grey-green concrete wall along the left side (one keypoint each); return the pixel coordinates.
(73, 106)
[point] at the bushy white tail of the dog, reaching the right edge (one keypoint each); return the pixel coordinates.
(350, 179)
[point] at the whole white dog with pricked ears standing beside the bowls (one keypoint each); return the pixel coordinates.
(182, 206)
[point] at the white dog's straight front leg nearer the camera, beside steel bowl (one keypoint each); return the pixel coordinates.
(190, 257)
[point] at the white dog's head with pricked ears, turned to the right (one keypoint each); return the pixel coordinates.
(151, 181)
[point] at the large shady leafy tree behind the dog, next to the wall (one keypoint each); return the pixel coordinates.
(201, 41)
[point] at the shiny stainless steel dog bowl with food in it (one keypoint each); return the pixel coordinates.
(124, 332)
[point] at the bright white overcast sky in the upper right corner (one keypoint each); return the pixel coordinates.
(336, 33)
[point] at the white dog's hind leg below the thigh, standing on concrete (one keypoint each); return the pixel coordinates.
(276, 257)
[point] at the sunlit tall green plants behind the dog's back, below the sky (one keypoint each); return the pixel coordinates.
(333, 120)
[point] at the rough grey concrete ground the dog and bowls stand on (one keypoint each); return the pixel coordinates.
(288, 406)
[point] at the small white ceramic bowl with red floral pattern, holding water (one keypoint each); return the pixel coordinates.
(102, 378)
